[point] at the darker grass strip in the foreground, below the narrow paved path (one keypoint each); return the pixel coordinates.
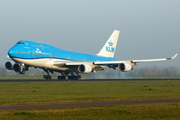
(164, 111)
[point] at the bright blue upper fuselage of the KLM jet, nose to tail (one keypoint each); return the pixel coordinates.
(34, 50)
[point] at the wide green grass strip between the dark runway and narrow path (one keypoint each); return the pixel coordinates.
(83, 91)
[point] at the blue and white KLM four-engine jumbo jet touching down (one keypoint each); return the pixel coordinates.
(25, 54)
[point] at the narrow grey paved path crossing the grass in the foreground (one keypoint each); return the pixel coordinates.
(87, 104)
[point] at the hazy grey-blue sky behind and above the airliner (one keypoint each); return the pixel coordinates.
(148, 28)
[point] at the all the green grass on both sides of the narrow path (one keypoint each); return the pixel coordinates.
(12, 93)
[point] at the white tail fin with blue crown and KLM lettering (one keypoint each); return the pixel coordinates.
(109, 48)
